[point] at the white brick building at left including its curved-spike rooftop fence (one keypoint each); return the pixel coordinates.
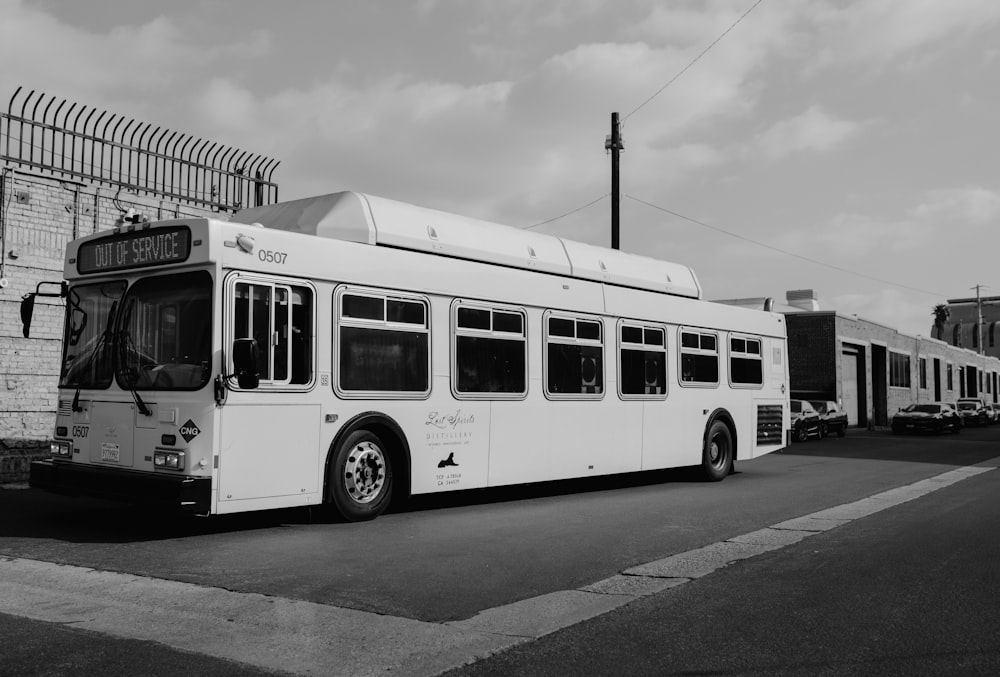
(59, 181)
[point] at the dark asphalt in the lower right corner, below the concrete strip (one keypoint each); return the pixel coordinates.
(914, 590)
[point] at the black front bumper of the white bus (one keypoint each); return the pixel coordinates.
(173, 492)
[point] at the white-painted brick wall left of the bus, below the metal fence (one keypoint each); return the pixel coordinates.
(39, 216)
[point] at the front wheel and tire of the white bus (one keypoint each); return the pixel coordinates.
(361, 477)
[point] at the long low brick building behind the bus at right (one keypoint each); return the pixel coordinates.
(870, 369)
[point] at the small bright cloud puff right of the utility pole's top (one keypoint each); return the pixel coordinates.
(814, 130)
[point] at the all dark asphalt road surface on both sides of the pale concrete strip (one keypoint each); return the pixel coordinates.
(857, 599)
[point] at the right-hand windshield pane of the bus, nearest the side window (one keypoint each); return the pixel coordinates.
(164, 333)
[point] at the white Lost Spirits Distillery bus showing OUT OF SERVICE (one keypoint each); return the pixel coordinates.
(346, 349)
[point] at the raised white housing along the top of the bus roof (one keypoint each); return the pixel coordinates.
(358, 217)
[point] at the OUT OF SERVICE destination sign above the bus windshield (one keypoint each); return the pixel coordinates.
(135, 250)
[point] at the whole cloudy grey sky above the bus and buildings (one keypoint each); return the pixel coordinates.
(851, 148)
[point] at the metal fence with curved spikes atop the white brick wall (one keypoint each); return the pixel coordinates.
(78, 141)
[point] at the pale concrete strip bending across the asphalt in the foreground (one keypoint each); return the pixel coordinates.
(300, 637)
